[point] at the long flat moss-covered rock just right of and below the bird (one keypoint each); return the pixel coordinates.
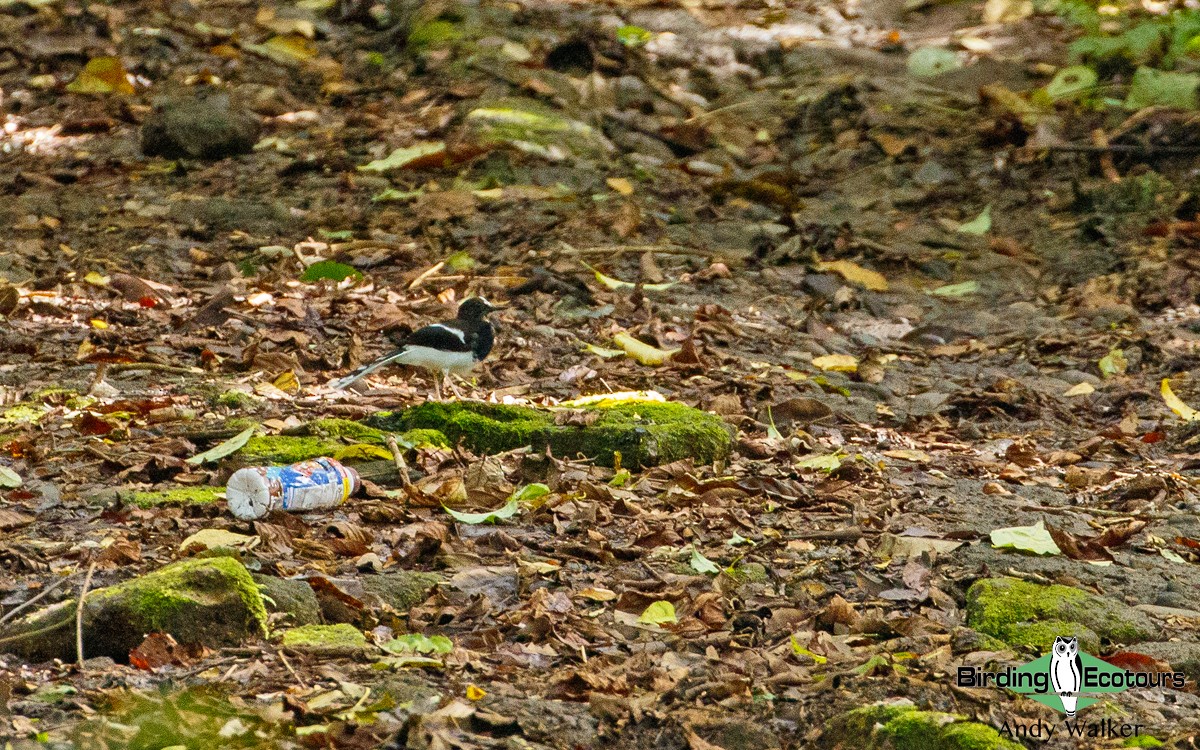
(643, 433)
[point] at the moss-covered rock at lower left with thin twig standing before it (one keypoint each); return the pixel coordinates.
(211, 602)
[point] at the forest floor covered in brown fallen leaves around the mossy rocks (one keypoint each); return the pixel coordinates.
(928, 311)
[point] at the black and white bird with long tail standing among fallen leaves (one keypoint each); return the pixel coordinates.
(452, 347)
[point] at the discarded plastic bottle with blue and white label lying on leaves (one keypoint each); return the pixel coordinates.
(309, 485)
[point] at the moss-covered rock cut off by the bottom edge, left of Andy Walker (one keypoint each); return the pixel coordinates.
(899, 725)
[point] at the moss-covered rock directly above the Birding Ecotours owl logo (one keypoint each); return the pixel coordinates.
(1030, 616)
